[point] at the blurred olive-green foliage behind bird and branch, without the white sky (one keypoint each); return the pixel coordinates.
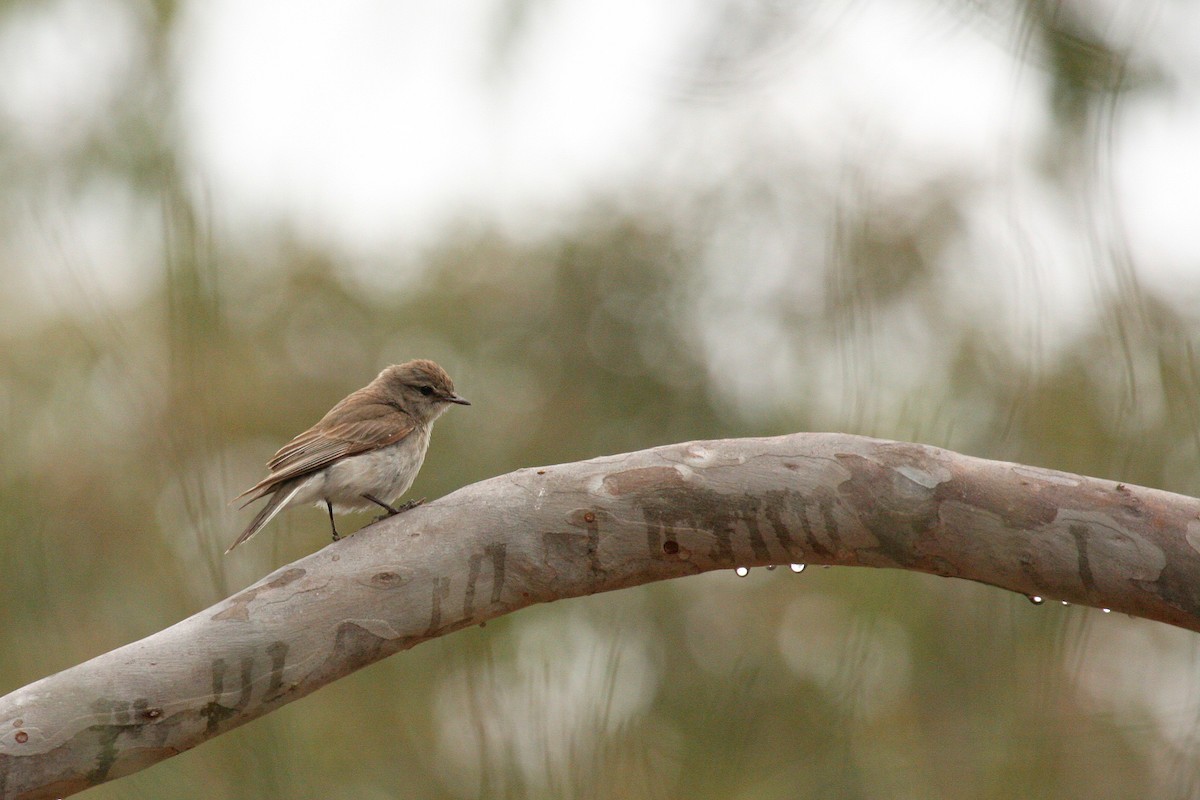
(767, 304)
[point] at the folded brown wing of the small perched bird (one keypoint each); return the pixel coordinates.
(370, 428)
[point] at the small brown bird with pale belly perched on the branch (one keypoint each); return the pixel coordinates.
(365, 453)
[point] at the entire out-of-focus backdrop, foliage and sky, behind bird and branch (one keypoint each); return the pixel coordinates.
(619, 225)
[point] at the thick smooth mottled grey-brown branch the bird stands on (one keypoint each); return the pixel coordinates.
(545, 534)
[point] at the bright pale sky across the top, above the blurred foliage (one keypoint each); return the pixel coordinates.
(371, 125)
